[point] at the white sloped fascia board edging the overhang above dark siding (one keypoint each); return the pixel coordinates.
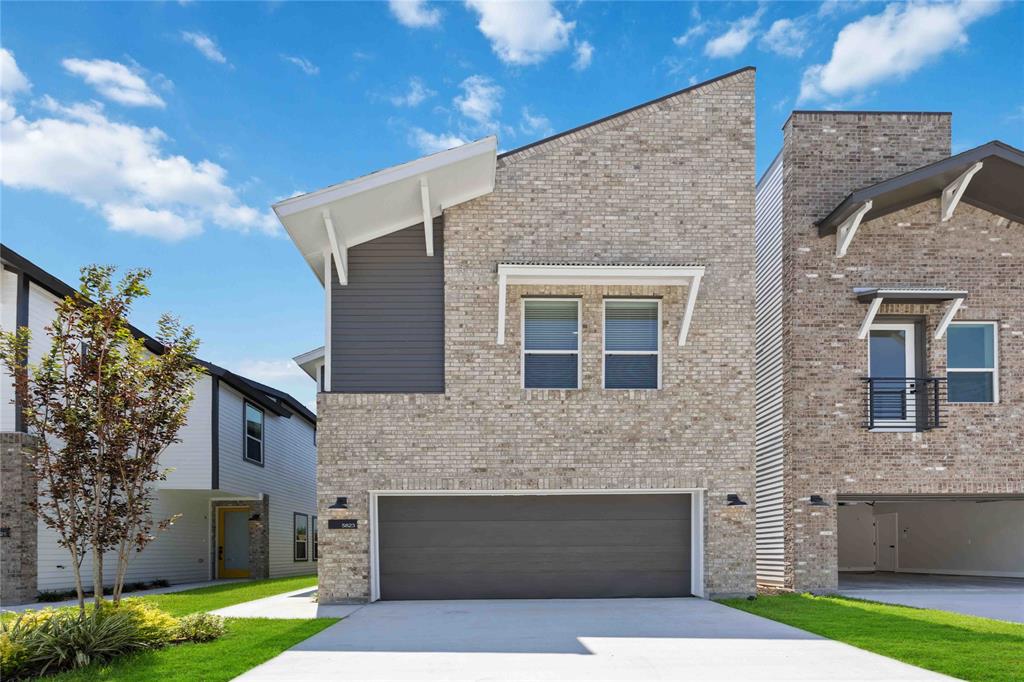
(380, 179)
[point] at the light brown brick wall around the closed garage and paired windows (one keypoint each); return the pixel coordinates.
(673, 182)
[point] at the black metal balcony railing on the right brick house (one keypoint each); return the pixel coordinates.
(906, 403)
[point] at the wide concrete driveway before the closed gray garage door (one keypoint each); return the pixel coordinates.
(592, 641)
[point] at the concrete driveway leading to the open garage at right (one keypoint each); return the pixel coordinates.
(1001, 599)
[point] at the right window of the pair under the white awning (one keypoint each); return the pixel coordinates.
(632, 344)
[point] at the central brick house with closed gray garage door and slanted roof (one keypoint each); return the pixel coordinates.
(614, 456)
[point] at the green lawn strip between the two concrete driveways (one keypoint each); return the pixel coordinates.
(964, 647)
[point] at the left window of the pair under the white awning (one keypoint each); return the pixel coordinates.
(551, 344)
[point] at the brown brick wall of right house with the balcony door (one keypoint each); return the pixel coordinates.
(829, 451)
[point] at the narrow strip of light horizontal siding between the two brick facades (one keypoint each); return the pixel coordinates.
(769, 231)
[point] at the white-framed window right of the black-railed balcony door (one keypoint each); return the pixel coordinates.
(972, 363)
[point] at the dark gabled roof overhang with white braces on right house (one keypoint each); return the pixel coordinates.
(989, 177)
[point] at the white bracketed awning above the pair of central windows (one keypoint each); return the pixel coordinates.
(657, 275)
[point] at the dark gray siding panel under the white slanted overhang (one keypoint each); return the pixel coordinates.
(388, 325)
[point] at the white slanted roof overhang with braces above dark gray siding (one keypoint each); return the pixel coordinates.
(330, 222)
